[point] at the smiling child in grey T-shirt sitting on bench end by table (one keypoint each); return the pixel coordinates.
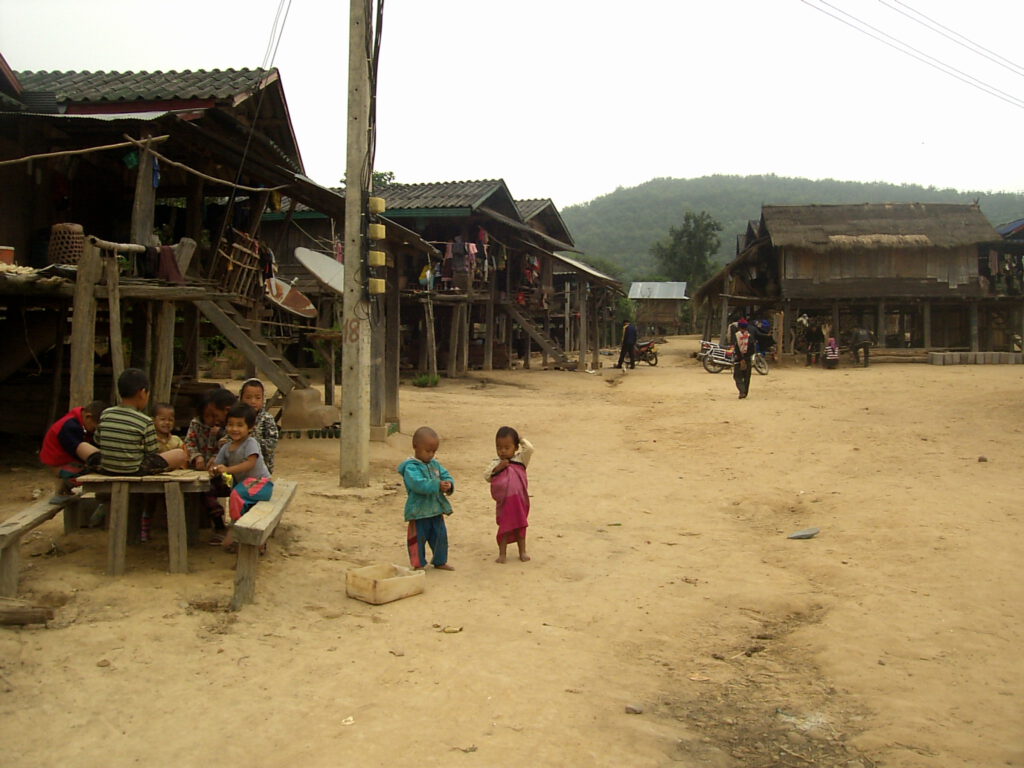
(241, 458)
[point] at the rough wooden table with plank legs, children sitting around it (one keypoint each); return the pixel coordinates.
(174, 486)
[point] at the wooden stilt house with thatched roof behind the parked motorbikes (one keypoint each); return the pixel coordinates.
(919, 277)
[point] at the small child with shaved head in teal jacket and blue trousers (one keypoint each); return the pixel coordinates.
(428, 485)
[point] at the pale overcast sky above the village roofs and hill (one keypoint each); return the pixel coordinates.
(571, 99)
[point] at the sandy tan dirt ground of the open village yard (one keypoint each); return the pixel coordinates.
(662, 579)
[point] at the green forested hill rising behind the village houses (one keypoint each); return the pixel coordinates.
(619, 229)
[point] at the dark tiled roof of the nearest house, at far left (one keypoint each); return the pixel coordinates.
(142, 87)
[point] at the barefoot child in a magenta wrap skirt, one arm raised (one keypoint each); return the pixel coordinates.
(507, 476)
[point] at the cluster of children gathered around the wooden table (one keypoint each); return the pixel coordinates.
(233, 439)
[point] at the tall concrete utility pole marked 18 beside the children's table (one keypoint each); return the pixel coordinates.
(356, 313)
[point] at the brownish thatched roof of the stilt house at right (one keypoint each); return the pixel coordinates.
(871, 227)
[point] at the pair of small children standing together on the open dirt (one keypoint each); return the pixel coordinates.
(429, 486)
